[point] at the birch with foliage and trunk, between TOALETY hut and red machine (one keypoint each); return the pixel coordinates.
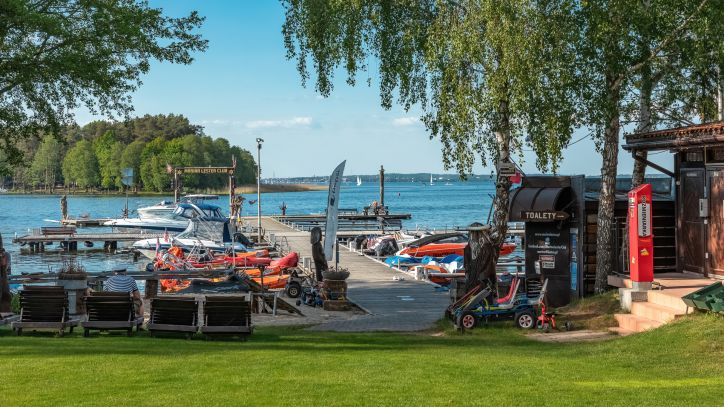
(620, 42)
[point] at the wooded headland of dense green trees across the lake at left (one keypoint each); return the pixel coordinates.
(90, 157)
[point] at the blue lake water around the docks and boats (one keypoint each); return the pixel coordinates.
(437, 206)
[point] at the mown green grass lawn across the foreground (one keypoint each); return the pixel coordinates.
(679, 364)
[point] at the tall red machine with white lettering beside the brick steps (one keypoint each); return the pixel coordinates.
(640, 237)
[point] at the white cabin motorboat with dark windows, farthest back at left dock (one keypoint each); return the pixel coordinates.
(178, 221)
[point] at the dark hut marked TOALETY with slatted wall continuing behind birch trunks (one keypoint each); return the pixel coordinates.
(574, 237)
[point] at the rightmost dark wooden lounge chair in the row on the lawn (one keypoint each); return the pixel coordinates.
(228, 316)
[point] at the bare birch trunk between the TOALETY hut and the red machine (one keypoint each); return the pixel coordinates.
(607, 197)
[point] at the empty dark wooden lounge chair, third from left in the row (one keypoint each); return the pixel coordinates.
(174, 314)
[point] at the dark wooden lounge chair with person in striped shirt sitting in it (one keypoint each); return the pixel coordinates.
(110, 311)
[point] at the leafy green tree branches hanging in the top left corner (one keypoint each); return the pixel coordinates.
(58, 55)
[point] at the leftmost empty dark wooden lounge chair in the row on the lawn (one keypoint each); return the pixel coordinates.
(44, 308)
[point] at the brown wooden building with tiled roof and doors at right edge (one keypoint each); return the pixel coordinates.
(699, 193)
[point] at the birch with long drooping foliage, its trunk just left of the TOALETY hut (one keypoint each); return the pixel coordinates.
(489, 76)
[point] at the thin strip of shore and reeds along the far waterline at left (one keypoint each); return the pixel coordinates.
(242, 189)
